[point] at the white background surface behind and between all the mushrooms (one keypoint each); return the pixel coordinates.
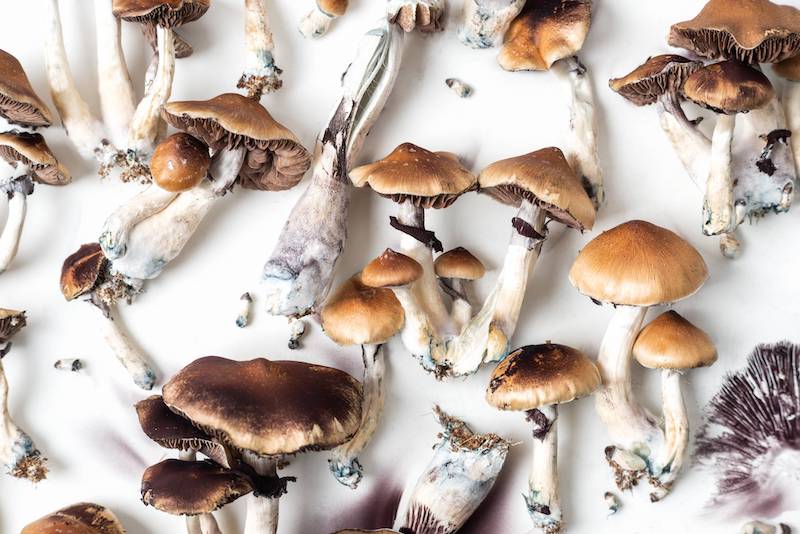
(85, 422)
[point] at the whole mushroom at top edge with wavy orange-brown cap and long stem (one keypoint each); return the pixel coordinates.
(547, 35)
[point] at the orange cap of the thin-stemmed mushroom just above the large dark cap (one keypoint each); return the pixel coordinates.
(357, 314)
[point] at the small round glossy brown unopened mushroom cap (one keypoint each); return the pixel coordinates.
(179, 163)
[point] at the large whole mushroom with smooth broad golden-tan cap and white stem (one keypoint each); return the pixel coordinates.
(633, 266)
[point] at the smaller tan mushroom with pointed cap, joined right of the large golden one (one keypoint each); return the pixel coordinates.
(673, 345)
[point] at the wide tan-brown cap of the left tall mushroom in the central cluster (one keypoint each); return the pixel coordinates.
(416, 175)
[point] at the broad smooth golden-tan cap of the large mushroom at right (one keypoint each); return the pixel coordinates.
(638, 264)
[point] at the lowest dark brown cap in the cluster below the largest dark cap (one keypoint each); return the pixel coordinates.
(191, 488)
